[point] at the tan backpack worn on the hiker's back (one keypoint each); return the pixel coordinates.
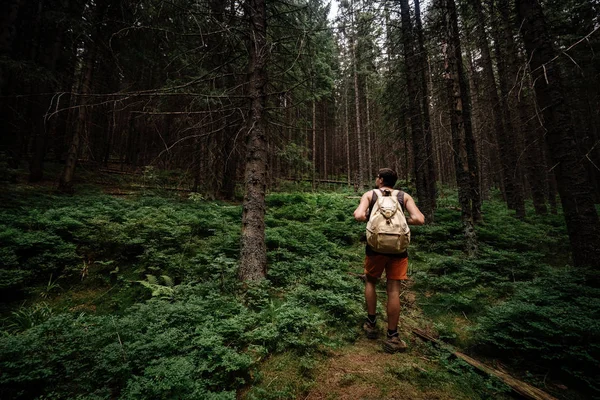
(387, 229)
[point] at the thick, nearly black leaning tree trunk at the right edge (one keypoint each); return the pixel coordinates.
(576, 192)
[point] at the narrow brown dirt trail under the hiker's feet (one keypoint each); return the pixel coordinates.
(363, 370)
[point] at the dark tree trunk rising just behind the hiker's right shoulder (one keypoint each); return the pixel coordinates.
(421, 166)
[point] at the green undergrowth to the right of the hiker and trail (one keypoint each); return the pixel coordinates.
(518, 300)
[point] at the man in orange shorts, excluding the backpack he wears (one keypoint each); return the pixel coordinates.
(395, 265)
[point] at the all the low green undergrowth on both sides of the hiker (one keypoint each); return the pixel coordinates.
(137, 297)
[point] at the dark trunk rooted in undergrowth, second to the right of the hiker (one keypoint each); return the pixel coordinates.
(460, 127)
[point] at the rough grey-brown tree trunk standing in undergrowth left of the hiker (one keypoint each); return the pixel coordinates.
(253, 257)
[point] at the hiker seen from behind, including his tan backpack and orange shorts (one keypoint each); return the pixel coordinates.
(388, 237)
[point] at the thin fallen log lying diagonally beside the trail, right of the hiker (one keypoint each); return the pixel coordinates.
(524, 389)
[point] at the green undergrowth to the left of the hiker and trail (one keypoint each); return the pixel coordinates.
(139, 297)
